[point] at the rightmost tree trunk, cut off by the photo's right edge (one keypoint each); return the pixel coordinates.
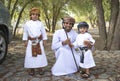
(115, 45)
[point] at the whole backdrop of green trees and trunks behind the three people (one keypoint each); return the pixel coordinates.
(103, 15)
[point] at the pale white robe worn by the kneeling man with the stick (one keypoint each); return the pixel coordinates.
(65, 63)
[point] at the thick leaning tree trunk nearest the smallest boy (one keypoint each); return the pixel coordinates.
(101, 23)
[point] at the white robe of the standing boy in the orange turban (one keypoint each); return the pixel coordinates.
(34, 29)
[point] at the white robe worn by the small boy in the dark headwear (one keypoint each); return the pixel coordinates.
(88, 57)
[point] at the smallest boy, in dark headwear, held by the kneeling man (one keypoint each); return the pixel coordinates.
(84, 42)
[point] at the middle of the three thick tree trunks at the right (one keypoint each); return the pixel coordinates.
(113, 19)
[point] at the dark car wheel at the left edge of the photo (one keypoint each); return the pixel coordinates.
(3, 47)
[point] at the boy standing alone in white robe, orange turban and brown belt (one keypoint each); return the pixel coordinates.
(34, 37)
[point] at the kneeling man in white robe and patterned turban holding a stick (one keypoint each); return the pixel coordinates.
(66, 58)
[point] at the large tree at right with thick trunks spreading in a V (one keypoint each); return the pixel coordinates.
(109, 40)
